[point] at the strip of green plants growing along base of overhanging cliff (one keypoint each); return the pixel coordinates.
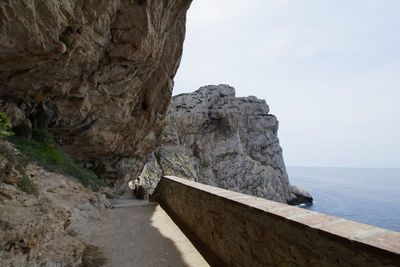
(45, 151)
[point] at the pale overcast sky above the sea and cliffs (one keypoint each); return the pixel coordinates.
(328, 69)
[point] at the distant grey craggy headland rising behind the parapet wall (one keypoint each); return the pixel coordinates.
(215, 138)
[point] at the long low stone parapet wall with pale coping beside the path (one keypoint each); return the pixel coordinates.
(234, 229)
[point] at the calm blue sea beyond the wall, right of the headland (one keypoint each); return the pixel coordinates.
(365, 195)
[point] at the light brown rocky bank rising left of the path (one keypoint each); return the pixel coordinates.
(48, 228)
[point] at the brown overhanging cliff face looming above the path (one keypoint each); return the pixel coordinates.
(98, 74)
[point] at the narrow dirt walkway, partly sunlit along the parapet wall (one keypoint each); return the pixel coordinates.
(139, 233)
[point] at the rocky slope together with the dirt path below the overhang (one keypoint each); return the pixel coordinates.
(53, 220)
